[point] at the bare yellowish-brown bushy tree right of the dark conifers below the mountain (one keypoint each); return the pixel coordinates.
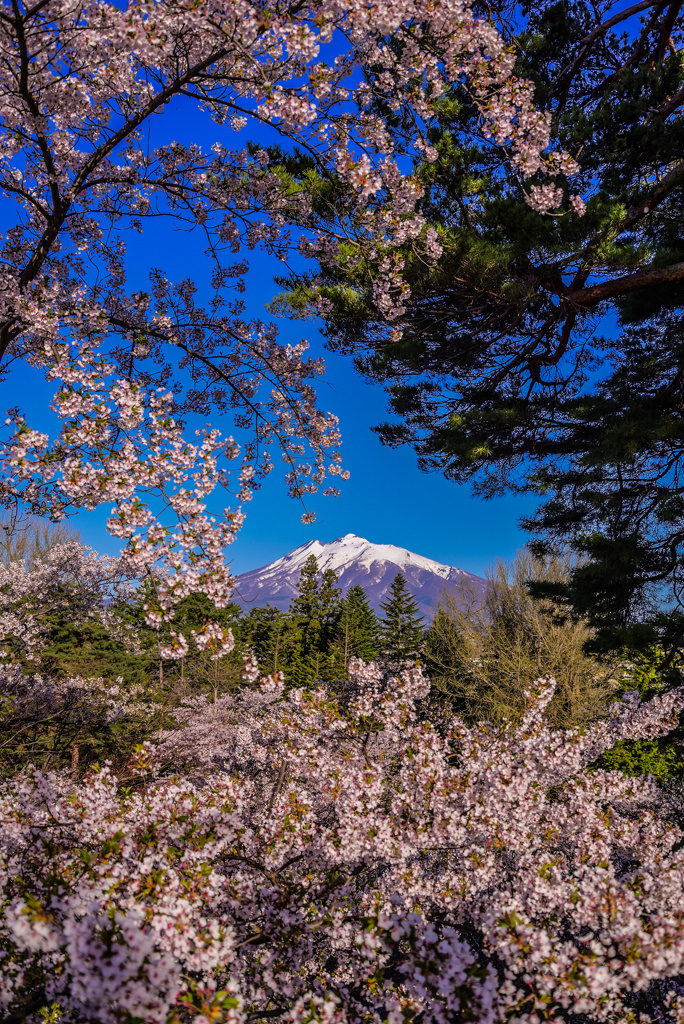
(484, 658)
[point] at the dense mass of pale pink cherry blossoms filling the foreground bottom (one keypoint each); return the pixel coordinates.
(340, 858)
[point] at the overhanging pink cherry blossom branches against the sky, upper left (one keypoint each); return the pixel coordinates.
(82, 87)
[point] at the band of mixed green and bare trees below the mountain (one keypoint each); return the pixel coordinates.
(483, 655)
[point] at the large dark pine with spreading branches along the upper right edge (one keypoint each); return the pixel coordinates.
(499, 373)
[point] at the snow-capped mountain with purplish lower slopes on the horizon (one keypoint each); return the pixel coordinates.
(356, 561)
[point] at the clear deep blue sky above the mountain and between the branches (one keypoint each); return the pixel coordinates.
(388, 500)
